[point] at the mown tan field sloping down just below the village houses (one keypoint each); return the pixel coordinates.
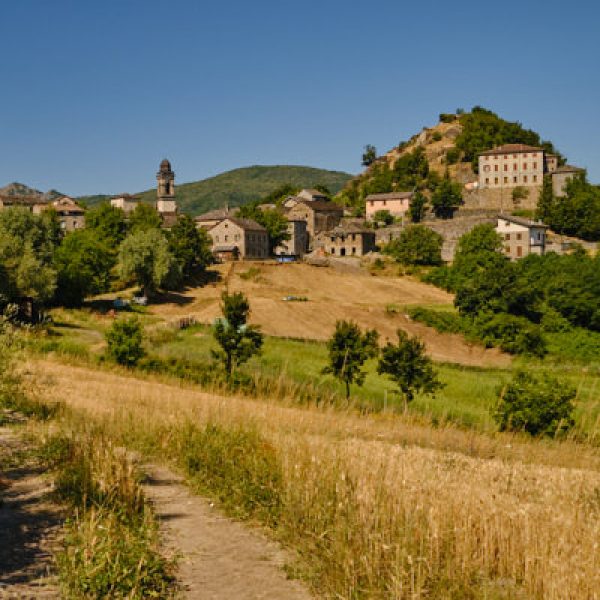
(331, 295)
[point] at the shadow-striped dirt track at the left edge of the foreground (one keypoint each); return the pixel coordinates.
(29, 525)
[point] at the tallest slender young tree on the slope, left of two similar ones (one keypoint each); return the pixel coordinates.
(238, 341)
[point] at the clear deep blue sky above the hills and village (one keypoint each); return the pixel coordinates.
(94, 94)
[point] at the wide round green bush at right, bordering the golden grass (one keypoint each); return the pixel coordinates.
(539, 406)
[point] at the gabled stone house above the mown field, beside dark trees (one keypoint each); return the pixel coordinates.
(243, 238)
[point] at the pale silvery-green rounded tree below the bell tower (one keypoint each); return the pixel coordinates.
(145, 258)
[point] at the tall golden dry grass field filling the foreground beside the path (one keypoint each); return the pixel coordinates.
(382, 507)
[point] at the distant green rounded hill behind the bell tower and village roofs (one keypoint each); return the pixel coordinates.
(239, 186)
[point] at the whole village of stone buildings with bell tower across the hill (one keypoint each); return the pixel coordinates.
(508, 183)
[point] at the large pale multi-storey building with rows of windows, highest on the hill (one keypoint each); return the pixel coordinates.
(514, 165)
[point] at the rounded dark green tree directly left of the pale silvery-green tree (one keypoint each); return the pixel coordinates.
(83, 264)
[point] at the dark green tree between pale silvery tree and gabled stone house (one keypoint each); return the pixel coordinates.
(190, 245)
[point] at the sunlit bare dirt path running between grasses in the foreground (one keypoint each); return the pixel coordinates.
(220, 559)
